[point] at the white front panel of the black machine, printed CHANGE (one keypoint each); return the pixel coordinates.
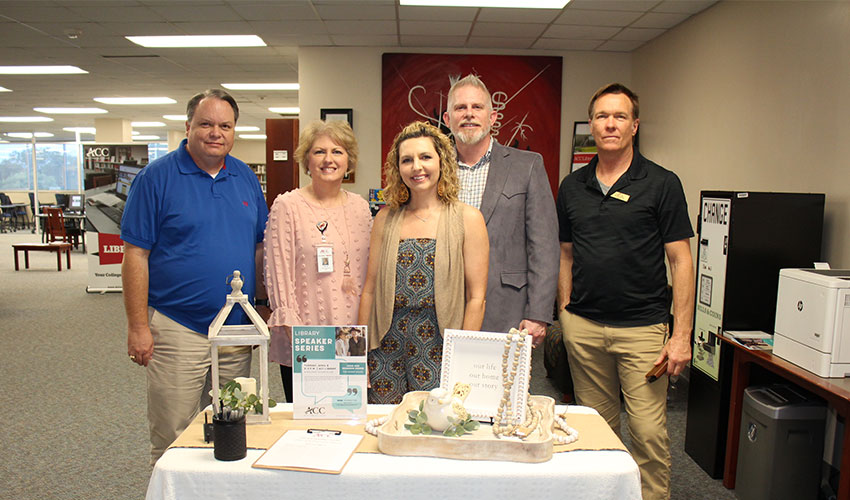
(711, 284)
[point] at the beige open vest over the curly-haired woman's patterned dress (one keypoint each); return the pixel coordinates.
(449, 292)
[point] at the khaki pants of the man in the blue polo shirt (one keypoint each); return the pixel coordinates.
(178, 378)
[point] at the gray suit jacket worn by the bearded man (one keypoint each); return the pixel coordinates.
(523, 230)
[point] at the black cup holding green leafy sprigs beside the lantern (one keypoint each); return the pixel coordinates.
(229, 422)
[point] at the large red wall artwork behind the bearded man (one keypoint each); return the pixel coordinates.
(526, 93)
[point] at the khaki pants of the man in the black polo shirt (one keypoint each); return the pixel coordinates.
(605, 359)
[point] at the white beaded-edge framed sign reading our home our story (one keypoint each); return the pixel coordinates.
(475, 358)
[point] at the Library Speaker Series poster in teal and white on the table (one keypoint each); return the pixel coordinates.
(329, 372)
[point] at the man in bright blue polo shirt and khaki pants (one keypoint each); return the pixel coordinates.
(191, 219)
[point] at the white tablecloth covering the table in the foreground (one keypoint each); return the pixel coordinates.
(186, 473)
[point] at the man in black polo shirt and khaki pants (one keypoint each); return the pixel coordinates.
(619, 216)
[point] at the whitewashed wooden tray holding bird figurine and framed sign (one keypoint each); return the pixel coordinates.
(394, 439)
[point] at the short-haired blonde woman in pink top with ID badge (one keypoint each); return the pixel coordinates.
(317, 243)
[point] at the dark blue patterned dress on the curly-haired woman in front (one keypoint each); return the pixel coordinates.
(411, 352)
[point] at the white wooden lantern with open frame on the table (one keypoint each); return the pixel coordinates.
(257, 333)
